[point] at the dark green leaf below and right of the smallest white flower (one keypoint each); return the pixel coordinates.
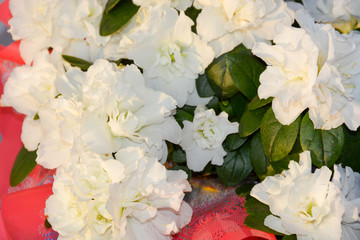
(236, 166)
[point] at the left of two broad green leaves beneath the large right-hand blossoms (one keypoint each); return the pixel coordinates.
(277, 139)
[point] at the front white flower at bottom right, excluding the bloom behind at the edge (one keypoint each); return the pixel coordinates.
(302, 203)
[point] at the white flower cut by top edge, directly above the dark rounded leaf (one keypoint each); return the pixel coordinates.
(227, 23)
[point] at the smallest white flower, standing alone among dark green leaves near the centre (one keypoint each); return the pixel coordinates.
(202, 139)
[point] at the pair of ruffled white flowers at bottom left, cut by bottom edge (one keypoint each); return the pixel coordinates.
(130, 197)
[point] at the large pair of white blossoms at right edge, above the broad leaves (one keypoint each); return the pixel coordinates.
(324, 73)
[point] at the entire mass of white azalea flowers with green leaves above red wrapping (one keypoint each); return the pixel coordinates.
(127, 99)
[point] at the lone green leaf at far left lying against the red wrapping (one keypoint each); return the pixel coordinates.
(24, 164)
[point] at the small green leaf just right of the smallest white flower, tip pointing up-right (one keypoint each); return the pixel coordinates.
(251, 120)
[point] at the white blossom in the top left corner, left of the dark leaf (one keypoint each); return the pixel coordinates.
(71, 25)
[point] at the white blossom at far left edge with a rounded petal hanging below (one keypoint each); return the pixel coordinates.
(29, 88)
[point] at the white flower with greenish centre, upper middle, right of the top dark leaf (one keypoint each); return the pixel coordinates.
(160, 41)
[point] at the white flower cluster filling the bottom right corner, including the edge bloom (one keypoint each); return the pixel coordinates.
(309, 204)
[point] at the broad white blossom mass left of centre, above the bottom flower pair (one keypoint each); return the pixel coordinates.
(103, 110)
